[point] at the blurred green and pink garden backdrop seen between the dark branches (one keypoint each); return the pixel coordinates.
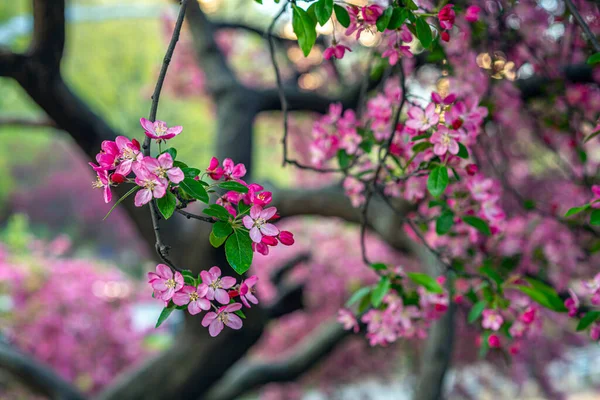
(72, 289)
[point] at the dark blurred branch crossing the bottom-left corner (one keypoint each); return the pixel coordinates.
(35, 375)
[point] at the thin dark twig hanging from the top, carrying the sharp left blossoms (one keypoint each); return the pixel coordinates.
(162, 249)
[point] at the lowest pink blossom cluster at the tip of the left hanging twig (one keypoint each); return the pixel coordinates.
(208, 290)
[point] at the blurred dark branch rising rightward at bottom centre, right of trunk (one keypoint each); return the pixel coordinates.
(248, 375)
